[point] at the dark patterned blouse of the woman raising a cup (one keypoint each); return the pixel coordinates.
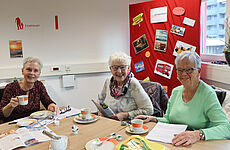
(36, 94)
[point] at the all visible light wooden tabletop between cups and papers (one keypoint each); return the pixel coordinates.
(102, 128)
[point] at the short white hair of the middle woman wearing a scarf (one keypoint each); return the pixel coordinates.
(121, 57)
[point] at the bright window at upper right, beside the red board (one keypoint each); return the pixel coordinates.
(212, 27)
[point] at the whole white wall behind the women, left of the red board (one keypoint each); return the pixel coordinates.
(90, 32)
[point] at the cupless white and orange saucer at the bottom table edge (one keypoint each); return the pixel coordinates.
(107, 145)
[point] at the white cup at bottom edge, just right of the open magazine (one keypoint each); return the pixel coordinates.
(59, 144)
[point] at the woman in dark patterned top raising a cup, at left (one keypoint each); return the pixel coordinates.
(36, 91)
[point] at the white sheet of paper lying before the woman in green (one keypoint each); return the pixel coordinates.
(164, 132)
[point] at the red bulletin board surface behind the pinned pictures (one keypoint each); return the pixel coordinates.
(191, 36)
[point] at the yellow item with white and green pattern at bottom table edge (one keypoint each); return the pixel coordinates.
(139, 143)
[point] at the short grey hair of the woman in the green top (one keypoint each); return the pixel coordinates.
(193, 57)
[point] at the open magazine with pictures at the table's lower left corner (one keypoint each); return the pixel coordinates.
(22, 138)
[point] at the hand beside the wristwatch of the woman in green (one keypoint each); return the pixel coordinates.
(186, 138)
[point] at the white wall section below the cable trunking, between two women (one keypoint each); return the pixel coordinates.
(87, 87)
